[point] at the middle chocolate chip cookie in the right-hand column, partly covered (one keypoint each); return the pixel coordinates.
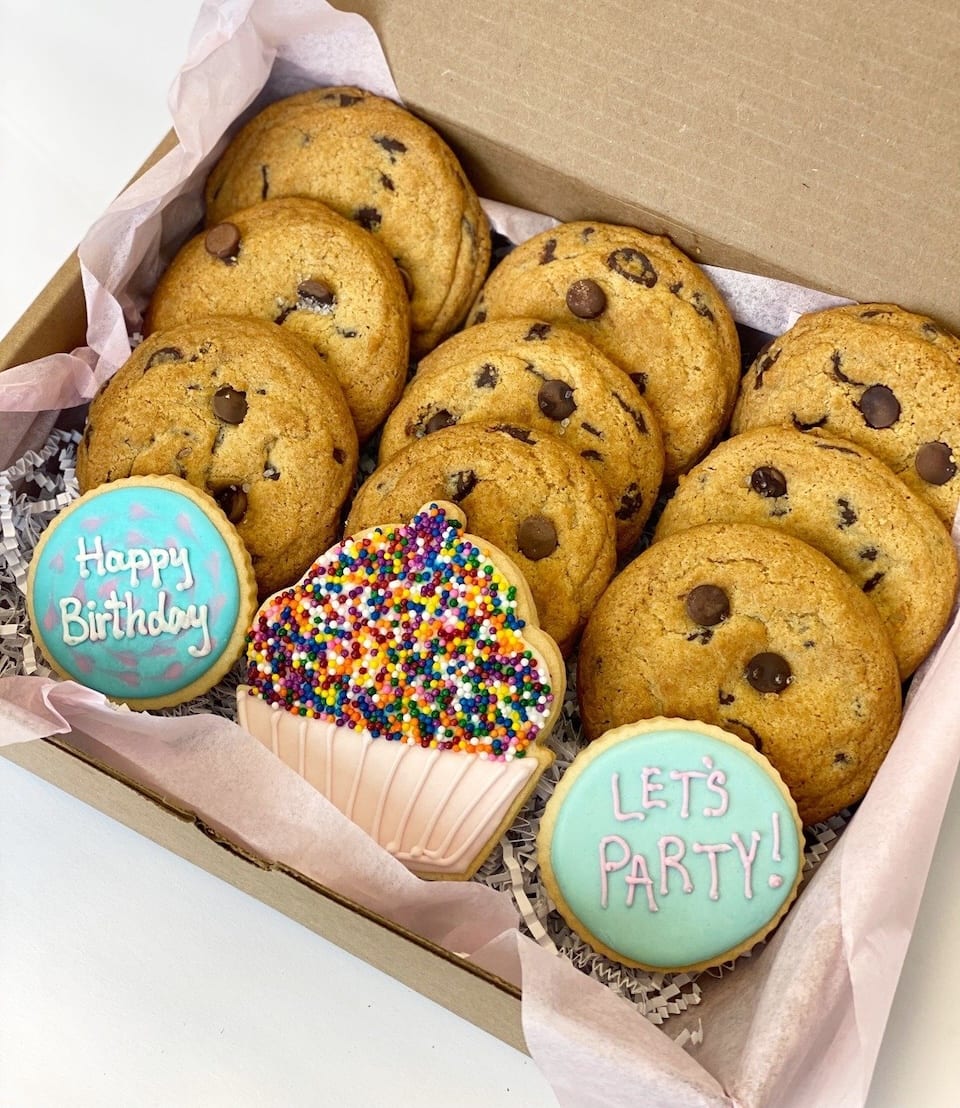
(849, 505)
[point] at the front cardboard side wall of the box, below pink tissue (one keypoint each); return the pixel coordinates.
(472, 993)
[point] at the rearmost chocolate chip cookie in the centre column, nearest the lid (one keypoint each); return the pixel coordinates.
(647, 306)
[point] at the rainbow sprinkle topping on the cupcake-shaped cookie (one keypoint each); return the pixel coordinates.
(410, 633)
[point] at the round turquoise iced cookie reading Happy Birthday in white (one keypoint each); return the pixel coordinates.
(142, 591)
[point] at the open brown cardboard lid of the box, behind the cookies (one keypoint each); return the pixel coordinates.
(814, 142)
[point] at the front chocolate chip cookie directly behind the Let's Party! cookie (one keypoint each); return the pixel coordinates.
(759, 633)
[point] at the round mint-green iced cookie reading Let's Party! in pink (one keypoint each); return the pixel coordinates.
(671, 846)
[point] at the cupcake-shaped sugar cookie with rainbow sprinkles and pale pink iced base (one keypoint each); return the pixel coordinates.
(406, 679)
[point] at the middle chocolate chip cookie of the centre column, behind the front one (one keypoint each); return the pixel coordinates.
(554, 382)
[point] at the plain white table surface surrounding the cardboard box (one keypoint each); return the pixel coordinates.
(129, 977)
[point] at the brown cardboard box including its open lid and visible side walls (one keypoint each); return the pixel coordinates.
(749, 152)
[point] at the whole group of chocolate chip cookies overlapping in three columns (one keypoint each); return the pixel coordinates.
(795, 566)
